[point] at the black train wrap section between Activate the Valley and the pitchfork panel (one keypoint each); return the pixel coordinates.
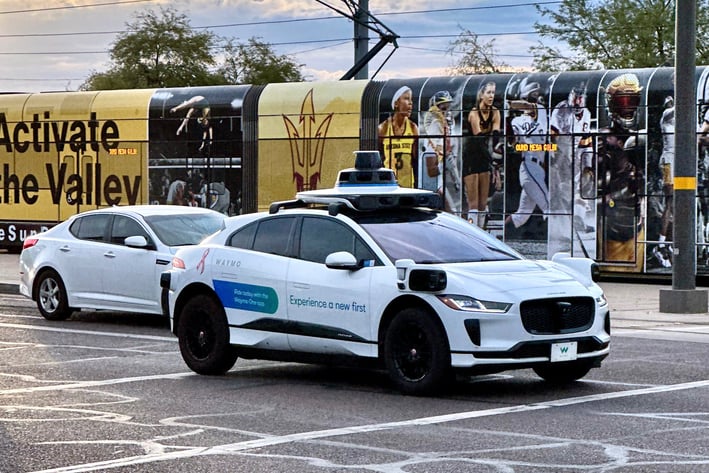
(196, 146)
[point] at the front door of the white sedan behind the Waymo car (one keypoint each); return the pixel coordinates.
(132, 281)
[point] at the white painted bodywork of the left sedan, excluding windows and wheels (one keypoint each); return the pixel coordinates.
(101, 275)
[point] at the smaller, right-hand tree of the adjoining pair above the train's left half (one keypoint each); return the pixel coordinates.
(256, 63)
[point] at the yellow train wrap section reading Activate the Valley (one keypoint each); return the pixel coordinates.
(65, 153)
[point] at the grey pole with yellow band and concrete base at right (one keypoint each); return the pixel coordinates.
(684, 298)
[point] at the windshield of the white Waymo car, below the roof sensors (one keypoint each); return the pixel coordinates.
(433, 237)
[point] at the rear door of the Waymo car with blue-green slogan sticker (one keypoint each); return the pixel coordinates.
(249, 276)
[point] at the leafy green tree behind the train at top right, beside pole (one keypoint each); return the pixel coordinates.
(614, 34)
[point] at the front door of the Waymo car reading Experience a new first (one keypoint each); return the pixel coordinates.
(329, 308)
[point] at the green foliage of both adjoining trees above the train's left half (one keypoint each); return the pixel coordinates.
(161, 49)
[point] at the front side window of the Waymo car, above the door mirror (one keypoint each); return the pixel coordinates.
(321, 236)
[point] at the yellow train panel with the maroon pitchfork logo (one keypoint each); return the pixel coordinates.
(307, 132)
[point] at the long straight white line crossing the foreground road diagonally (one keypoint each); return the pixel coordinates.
(319, 434)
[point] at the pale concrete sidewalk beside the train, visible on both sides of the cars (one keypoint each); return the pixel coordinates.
(632, 305)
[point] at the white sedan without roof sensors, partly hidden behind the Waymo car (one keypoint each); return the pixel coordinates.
(109, 259)
